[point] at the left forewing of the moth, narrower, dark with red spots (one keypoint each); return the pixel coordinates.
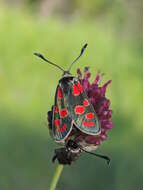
(61, 122)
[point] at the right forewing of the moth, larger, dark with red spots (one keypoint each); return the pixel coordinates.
(80, 109)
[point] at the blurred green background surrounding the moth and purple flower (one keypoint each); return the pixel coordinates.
(114, 31)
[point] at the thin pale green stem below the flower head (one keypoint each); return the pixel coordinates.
(56, 177)
